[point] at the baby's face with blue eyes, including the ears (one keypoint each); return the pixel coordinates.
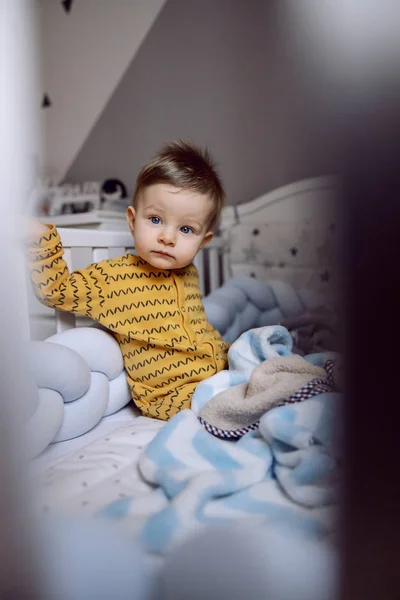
(170, 225)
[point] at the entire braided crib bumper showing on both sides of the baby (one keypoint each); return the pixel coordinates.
(78, 376)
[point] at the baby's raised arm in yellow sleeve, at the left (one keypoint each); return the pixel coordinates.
(82, 292)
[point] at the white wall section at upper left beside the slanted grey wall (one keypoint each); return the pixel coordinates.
(84, 55)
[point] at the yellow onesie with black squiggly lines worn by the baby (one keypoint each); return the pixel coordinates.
(157, 317)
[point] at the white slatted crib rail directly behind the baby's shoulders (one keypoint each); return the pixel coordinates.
(82, 247)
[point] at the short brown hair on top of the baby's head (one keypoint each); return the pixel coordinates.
(184, 166)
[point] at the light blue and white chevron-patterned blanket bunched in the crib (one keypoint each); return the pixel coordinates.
(281, 474)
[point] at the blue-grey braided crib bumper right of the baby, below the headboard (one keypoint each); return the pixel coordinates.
(244, 303)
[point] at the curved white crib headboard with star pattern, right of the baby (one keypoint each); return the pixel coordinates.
(288, 234)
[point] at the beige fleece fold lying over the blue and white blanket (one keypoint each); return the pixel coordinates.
(270, 382)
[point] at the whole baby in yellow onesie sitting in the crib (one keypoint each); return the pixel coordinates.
(151, 302)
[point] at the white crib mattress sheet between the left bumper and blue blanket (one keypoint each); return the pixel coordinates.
(96, 473)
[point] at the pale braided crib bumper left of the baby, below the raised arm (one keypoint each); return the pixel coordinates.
(79, 378)
